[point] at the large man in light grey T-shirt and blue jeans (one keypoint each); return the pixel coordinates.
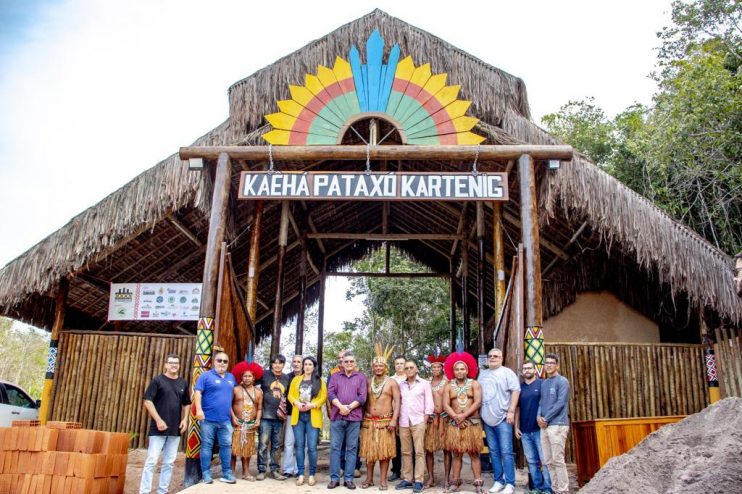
(500, 392)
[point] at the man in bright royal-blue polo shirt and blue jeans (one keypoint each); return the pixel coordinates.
(213, 399)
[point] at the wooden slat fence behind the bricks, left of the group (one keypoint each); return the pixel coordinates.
(101, 378)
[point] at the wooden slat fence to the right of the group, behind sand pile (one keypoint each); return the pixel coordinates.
(619, 380)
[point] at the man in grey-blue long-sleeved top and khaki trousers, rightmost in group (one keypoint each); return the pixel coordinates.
(553, 419)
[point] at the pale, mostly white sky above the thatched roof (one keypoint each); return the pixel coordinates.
(94, 92)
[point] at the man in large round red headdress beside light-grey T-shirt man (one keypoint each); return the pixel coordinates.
(462, 399)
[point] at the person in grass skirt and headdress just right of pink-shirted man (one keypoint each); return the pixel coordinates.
(435, 432)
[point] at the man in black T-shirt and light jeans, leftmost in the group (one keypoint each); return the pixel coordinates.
(166, 400)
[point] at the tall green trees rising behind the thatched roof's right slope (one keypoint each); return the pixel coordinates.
(684, 151)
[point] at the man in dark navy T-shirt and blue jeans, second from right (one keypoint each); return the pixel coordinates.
(527, 430)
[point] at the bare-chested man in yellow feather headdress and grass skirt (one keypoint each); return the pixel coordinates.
(378, 430)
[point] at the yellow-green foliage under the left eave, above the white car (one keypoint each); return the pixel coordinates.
(23, 356)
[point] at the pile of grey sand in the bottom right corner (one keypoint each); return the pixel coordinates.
(702, 453)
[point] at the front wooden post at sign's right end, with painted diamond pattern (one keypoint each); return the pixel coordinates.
(534, 338)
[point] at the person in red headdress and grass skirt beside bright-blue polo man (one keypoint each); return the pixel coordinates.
(247, 408)
